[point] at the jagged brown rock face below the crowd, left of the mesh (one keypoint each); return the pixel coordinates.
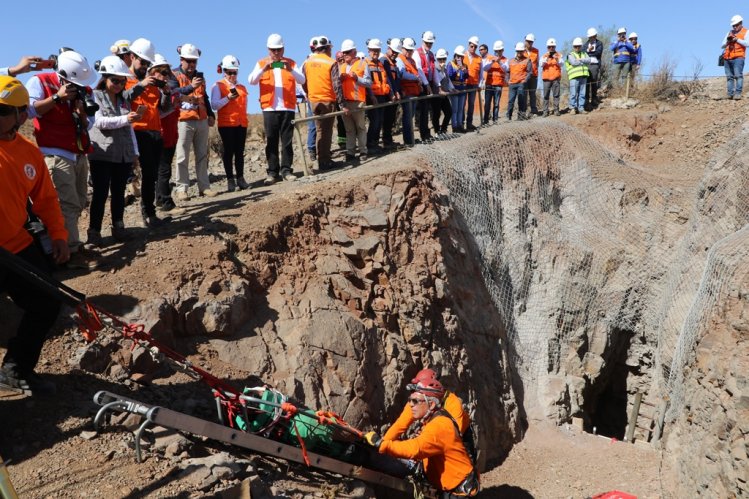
(341, 297)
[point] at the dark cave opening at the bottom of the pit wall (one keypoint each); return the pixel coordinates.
(608, 413)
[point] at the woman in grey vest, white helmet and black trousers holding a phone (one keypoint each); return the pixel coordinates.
(115, 149)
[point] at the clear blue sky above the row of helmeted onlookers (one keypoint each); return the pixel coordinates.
(682, 31)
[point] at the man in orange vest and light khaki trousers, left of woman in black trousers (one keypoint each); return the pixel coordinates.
(195, 117)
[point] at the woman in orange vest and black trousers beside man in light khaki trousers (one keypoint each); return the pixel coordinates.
(229, 100)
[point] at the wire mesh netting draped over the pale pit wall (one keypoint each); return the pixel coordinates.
(578, 246)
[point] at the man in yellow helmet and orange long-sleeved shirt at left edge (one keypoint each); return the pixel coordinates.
(24, 177)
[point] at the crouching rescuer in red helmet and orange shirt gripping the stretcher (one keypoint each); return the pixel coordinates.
(438, 447)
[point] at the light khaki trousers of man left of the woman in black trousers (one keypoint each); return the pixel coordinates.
(193, 135)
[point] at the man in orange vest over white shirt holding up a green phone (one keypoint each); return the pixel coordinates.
(277, 76)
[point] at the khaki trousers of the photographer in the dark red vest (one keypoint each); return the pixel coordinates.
(71, 182)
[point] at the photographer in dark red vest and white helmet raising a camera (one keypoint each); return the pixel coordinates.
(63, 109)
